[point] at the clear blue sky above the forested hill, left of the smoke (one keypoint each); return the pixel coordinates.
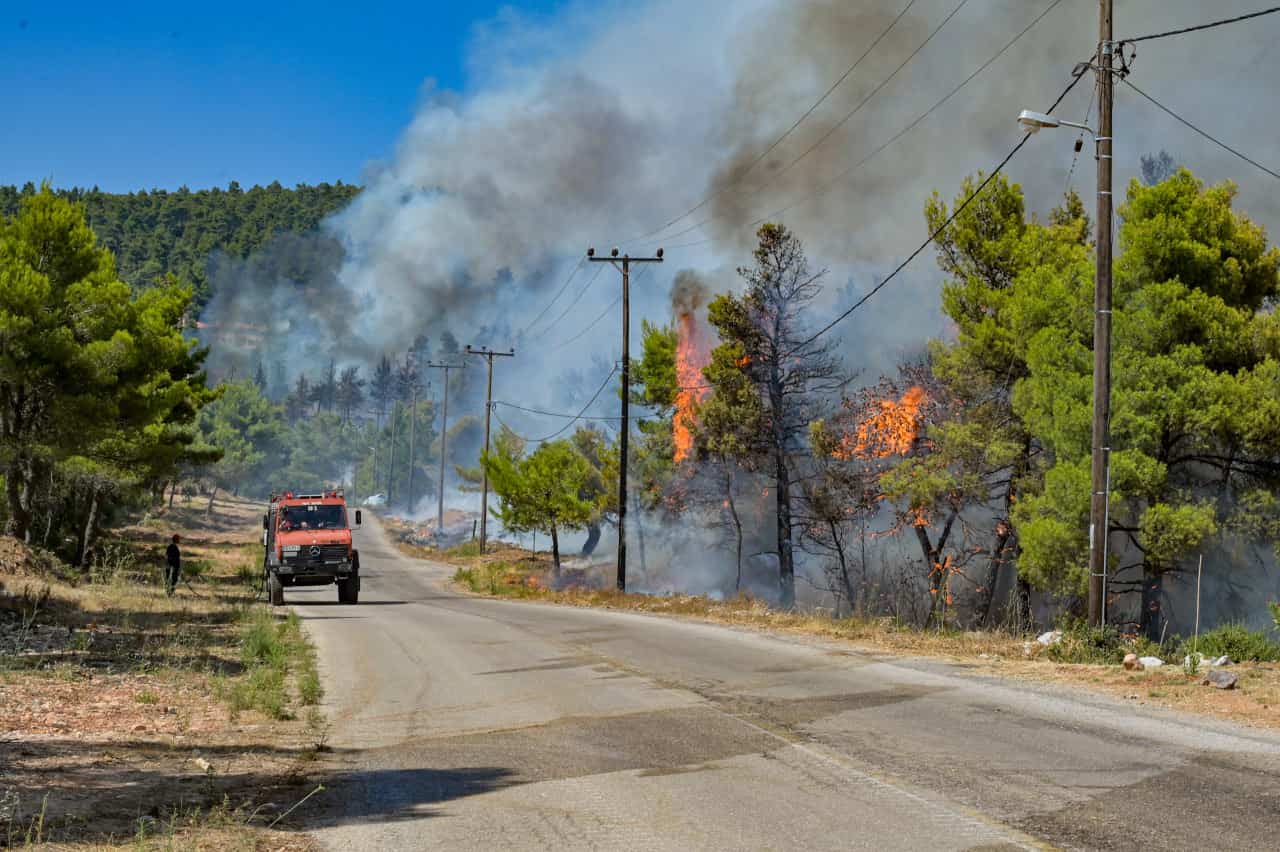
(145, 94)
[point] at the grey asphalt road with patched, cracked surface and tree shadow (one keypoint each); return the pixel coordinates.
(464, 723)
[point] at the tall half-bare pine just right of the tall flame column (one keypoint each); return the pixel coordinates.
(767, 382)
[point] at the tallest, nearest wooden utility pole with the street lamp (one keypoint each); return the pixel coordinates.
(1101, 461)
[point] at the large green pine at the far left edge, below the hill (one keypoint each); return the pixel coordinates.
(89, 370)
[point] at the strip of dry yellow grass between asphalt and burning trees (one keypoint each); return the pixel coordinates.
(1078, 656)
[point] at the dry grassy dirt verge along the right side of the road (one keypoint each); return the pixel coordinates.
(1255, 700)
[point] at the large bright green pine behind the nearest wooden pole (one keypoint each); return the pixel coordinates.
(1196, 404)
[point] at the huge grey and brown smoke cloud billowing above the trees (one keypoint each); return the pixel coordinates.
(604, 123)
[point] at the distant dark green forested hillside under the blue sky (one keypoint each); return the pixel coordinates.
(157, 233)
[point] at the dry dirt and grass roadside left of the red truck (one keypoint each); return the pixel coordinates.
(130, 718)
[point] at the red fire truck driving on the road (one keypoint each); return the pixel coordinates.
(308, 543)
